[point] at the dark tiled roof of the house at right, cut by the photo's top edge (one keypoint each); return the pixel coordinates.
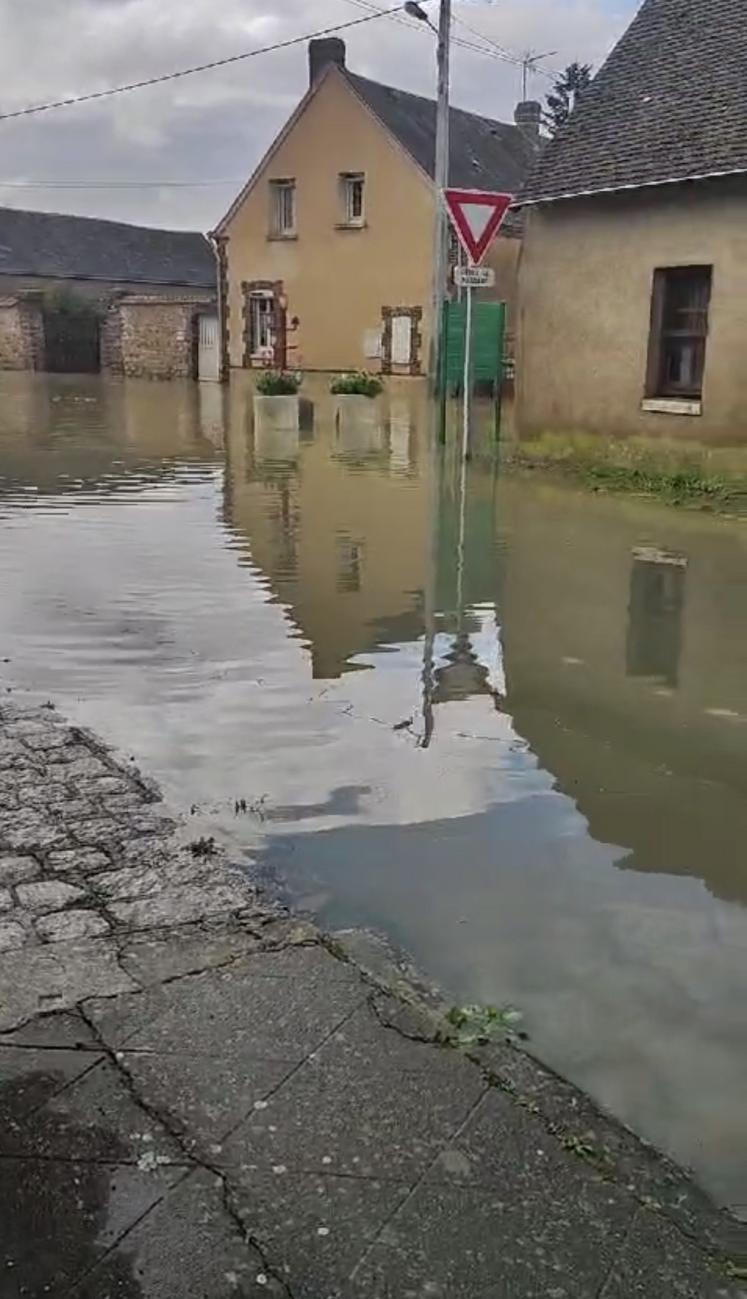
(670, 105)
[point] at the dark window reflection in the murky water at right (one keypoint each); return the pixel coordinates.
(655, 624)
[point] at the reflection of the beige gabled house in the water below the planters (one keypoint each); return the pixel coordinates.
(345, 538)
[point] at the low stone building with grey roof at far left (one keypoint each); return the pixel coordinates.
(70, 288)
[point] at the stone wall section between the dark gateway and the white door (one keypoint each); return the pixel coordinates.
(153, 337)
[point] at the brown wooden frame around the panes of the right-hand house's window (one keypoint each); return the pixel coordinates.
(662, 333)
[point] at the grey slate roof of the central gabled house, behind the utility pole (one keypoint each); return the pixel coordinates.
(484, 155)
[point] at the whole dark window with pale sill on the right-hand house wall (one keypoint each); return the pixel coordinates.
(679, 331)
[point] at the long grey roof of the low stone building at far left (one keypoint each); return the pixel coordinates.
(45, 244)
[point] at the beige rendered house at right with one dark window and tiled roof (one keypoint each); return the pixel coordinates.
(633, 275)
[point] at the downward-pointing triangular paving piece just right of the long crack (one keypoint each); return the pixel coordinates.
(199, 1101)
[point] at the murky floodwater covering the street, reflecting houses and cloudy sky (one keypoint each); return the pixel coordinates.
(507, 727)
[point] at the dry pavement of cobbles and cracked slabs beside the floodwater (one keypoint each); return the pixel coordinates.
(202, 1098)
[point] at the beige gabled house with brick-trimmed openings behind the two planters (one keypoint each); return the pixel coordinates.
(327, 254)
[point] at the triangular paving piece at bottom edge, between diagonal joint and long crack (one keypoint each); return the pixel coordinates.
(186, 1249)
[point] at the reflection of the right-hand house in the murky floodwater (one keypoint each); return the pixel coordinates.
(661, 772)
